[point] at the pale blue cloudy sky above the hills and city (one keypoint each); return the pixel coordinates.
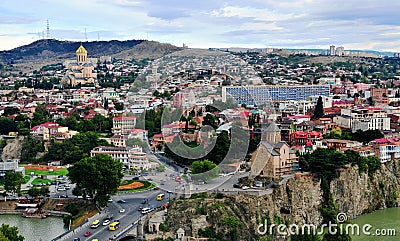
(354, 24)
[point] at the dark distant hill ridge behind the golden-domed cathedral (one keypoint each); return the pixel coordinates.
(51, 50)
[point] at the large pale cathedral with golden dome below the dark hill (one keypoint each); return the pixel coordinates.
(80, 71)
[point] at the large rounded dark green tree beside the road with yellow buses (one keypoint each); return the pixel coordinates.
(98, 176)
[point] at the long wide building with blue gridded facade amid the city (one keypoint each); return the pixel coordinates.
(256, 95)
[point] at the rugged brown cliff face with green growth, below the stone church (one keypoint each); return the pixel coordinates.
(296, 202)
